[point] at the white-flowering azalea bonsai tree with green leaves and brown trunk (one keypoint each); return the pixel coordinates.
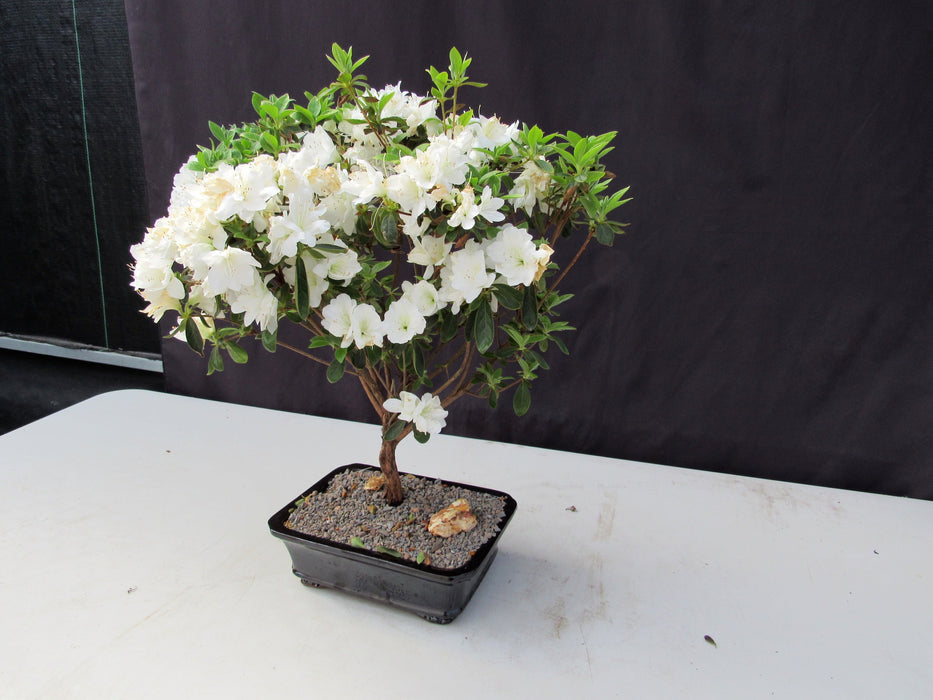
(412, 239)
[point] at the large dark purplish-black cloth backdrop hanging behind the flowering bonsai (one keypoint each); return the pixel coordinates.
(768, 314)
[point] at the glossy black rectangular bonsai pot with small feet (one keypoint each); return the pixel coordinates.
(437, 595)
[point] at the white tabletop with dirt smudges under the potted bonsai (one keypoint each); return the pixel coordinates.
(135, 562)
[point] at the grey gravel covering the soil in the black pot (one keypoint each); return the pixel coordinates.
(346, 512)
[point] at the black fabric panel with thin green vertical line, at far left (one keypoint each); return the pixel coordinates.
(65, 101)
